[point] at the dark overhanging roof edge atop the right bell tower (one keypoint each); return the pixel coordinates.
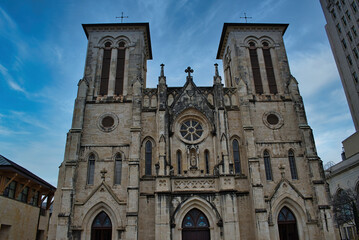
(224, 35)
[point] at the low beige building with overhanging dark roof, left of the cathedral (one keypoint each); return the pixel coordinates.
(25, 200)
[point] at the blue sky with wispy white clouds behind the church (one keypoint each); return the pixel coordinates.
(43, 49)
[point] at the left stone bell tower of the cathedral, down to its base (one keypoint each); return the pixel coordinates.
(100, 168)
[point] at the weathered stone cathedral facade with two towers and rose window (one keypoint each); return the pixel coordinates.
(234, 160)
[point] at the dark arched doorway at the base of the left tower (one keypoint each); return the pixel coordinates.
(101, 227)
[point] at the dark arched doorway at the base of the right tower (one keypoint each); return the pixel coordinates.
(287, 225)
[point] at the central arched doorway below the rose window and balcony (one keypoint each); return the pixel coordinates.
(195, 226)
